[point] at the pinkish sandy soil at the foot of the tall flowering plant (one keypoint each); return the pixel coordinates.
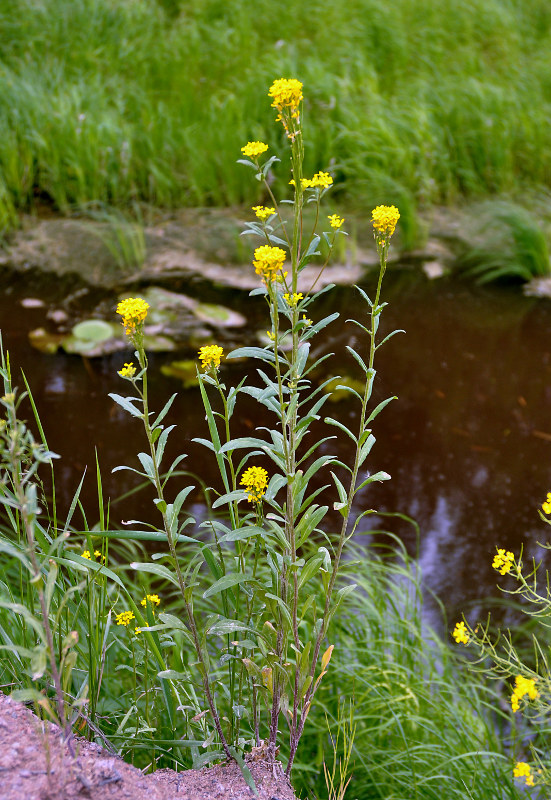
(36, 765)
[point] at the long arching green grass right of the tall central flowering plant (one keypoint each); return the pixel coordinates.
(425, 728)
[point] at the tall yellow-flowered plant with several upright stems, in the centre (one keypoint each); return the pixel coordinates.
(260, 633)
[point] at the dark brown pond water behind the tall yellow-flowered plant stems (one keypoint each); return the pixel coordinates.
(467, 442)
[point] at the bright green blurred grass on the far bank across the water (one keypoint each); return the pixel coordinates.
(137, 100)
